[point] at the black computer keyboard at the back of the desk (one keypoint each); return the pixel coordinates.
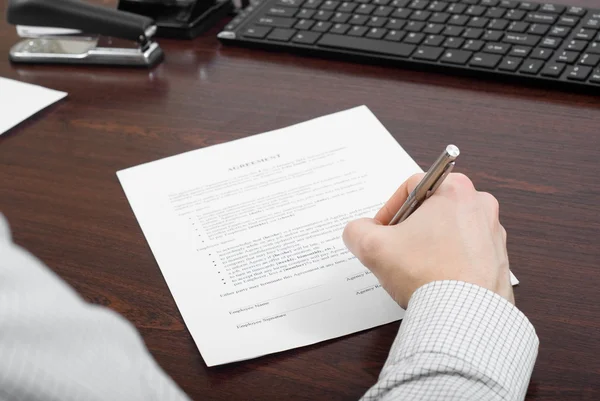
(545, 43)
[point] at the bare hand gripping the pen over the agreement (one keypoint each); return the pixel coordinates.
(453, 235)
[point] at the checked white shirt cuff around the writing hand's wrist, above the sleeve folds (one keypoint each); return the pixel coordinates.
(465, 322)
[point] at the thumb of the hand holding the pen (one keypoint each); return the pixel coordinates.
(365, 239)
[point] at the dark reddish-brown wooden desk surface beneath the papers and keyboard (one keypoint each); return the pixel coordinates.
(536, 150)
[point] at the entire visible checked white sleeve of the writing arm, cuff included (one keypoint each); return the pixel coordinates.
(459, 341)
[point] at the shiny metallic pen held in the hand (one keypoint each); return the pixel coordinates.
(428, 185)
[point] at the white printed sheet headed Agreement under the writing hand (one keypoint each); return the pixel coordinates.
(248, 233)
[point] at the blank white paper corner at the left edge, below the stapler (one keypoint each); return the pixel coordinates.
(19, 101)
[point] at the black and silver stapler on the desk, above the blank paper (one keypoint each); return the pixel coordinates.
(85, 34)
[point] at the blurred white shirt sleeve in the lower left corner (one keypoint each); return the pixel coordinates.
(55, 346)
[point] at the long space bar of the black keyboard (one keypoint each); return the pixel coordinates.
(366, 45)
